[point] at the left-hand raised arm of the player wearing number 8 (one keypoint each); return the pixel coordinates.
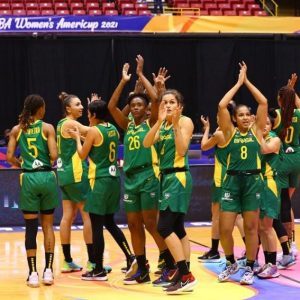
(225, 122)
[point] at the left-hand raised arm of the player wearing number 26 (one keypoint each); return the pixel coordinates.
(116, 113)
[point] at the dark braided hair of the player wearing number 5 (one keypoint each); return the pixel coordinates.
(32, 104)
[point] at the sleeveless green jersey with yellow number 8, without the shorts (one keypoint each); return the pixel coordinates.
(243, 151)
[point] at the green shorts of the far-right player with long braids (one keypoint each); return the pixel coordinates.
(289, 170)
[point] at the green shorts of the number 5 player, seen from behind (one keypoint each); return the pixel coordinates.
(38, 191)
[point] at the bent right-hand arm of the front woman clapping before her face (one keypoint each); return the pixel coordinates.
(183, 131)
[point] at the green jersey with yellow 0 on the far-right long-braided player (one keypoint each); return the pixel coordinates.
(293, 132)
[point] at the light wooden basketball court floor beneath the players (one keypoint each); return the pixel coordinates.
(13, 273)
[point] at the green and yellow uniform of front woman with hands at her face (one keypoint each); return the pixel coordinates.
(176, 180)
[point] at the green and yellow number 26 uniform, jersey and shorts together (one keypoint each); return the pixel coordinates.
(141, 170)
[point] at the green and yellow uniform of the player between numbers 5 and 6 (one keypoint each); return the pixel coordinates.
(71, 170)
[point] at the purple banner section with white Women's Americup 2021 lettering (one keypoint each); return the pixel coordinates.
(86, 23)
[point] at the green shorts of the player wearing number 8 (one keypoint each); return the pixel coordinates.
(241, 193)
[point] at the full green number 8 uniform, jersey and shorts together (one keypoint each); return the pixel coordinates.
(243, 183)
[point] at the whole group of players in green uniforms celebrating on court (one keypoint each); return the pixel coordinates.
(255, 170)
